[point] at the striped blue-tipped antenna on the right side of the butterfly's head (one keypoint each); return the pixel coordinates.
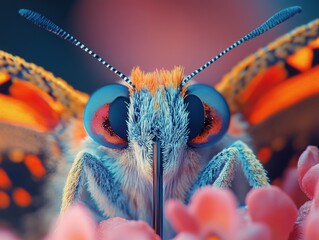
(276, 19)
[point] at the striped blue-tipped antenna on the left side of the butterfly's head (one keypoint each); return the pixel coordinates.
(48, 25)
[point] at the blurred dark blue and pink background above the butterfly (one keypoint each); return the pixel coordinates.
(150, 34)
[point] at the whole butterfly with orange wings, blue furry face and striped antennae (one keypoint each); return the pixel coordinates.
(155, 125)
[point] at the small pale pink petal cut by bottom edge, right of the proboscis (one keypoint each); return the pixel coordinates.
(253, 232)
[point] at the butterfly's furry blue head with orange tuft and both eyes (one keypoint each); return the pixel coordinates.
(156, 108)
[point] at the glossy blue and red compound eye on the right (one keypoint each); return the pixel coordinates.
(209, 115)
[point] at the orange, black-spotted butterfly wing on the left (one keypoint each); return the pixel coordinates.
(40, 117)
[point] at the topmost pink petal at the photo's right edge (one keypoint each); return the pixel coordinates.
(307, 159)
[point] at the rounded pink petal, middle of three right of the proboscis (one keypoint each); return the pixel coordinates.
(214, 210)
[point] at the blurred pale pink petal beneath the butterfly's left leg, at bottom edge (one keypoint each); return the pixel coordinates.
(75, 224)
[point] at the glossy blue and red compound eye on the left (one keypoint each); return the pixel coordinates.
(105, 116)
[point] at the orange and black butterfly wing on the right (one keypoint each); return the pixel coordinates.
(277, 92)
